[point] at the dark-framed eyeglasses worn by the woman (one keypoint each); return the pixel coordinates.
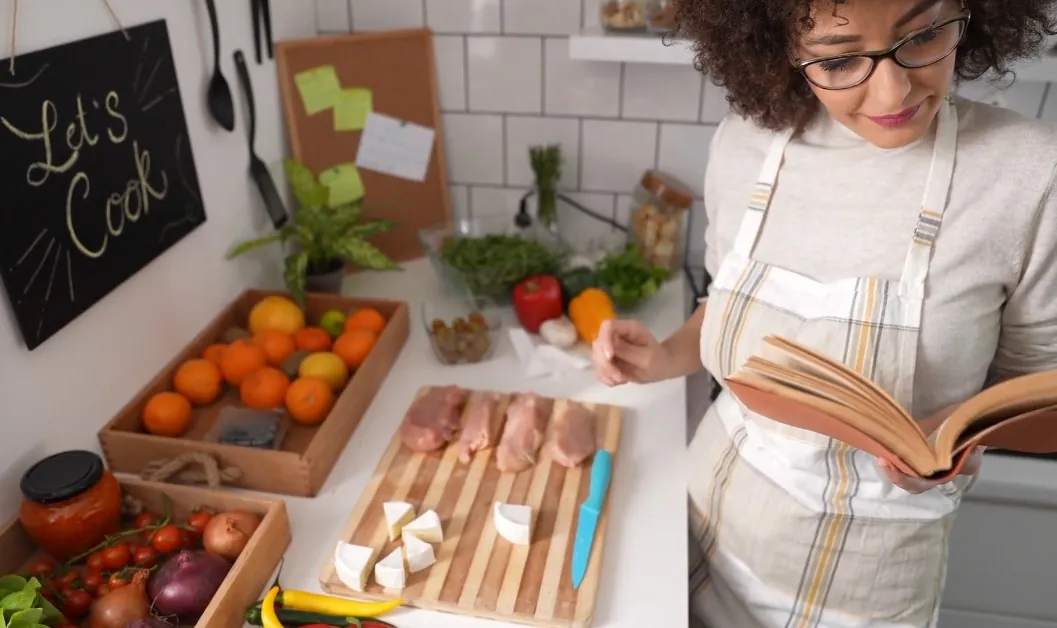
(917, 50)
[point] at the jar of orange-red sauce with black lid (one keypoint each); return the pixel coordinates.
(70, 504)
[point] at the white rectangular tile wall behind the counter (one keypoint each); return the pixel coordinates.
(507, 83)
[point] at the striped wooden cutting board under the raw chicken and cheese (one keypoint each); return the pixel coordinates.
(477, 572)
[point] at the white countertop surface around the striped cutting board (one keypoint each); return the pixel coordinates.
(644, 579)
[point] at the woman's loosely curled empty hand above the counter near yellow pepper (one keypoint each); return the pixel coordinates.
(626, 353)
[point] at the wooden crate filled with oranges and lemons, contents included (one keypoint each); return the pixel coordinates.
(272, 391)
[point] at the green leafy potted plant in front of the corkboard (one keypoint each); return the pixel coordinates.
(325, 239)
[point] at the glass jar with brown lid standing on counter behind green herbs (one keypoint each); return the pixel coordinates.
(659, 209)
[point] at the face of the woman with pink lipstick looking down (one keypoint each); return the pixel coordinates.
(895, 106)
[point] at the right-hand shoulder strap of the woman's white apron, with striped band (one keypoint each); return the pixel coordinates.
(937, 189)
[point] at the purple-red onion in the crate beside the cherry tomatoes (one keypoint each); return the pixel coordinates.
(187, 583)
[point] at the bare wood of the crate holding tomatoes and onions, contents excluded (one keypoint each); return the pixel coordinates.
(252, 572)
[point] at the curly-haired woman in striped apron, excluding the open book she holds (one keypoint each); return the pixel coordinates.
(856, 206)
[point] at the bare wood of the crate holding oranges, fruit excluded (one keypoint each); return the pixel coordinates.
(307, 454)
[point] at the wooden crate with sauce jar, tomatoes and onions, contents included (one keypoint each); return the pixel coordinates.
(90, 551)
